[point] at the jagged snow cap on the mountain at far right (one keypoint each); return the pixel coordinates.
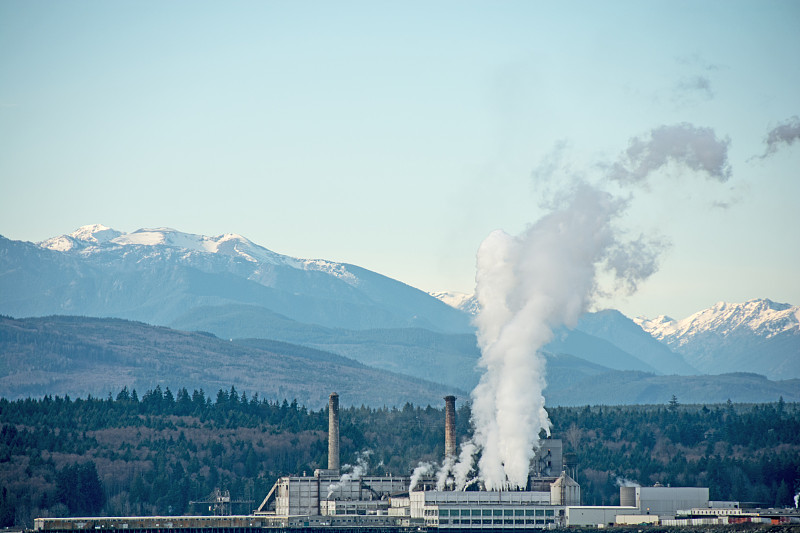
(761, 317)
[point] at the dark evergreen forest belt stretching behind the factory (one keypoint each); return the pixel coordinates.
(158, 452)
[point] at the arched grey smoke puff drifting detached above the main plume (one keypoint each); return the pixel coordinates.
(695, 147)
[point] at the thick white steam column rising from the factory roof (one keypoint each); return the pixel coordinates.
(526, 286)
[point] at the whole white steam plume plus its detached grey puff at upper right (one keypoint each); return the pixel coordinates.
(530, 284)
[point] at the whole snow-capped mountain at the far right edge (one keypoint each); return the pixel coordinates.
(756, 336)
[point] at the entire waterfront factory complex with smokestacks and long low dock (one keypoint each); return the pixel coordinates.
(332, 500)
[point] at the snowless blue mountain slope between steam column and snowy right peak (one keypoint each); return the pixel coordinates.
(624, 333)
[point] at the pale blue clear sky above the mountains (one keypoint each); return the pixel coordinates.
(398, 135)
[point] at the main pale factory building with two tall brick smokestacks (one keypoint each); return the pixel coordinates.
(329, 493)
